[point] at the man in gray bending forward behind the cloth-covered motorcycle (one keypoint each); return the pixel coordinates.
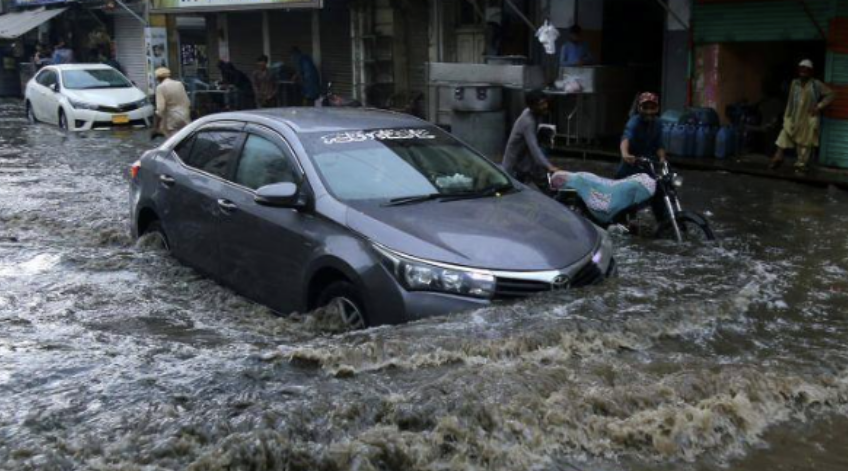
(523, 157)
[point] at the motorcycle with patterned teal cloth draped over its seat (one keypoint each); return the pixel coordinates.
(671, 220)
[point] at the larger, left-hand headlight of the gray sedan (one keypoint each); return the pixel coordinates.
(419, 275)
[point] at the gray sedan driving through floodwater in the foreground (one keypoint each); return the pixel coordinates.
(380, 214)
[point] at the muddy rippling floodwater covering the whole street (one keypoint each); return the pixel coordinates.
(115, 357)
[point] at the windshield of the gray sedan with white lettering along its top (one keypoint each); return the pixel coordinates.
(393, 164)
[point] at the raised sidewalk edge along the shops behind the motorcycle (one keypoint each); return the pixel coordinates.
(752, 164)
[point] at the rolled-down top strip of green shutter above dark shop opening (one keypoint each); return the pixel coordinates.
(775, 20)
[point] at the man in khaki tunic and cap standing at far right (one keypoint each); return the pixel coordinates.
(808, 97)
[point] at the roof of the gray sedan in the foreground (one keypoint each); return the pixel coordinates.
(324, 119)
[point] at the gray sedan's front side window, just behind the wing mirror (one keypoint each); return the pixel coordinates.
(265, 163)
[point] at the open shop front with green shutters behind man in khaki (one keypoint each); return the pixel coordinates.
(746, 55)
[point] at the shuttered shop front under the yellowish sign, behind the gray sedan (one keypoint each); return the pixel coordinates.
(213, 32)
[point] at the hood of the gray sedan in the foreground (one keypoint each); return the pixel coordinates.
(518, 232)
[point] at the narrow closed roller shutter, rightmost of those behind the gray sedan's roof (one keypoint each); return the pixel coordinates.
(336, 47)
